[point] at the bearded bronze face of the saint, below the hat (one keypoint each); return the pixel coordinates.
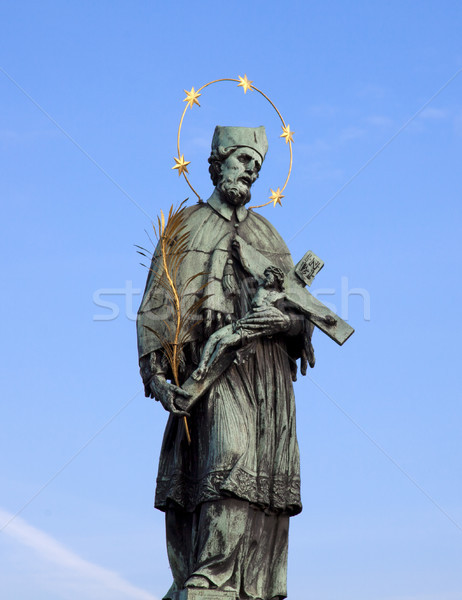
(238, 173)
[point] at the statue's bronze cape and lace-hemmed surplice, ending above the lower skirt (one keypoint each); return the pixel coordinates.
(244, 441)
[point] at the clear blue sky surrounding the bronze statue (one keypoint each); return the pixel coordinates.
(90, 96)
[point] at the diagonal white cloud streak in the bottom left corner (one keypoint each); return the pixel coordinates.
(90, 580)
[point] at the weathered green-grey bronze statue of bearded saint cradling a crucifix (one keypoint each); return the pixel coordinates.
(228, 495)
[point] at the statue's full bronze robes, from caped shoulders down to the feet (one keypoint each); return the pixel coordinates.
(244, 446)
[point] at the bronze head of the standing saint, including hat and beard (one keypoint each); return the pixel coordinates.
(237, 156)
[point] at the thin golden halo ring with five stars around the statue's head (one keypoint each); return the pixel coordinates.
(192, 98)
